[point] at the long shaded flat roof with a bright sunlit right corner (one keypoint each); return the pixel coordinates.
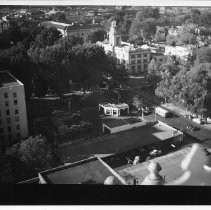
(117, 142)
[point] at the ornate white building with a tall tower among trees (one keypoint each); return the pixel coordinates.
(135, 58)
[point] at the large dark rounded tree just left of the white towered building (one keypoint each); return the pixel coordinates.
(86, 64)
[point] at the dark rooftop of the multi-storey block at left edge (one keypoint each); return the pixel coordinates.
(6, 79)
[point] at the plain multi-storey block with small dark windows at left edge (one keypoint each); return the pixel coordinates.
(13, 119)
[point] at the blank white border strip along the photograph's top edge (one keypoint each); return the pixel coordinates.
(110, 2)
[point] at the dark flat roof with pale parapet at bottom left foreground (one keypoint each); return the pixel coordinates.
(89, 171)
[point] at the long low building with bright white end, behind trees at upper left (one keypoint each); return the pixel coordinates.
(82, 30)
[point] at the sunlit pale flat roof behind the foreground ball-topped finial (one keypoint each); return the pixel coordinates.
(170, 163)
